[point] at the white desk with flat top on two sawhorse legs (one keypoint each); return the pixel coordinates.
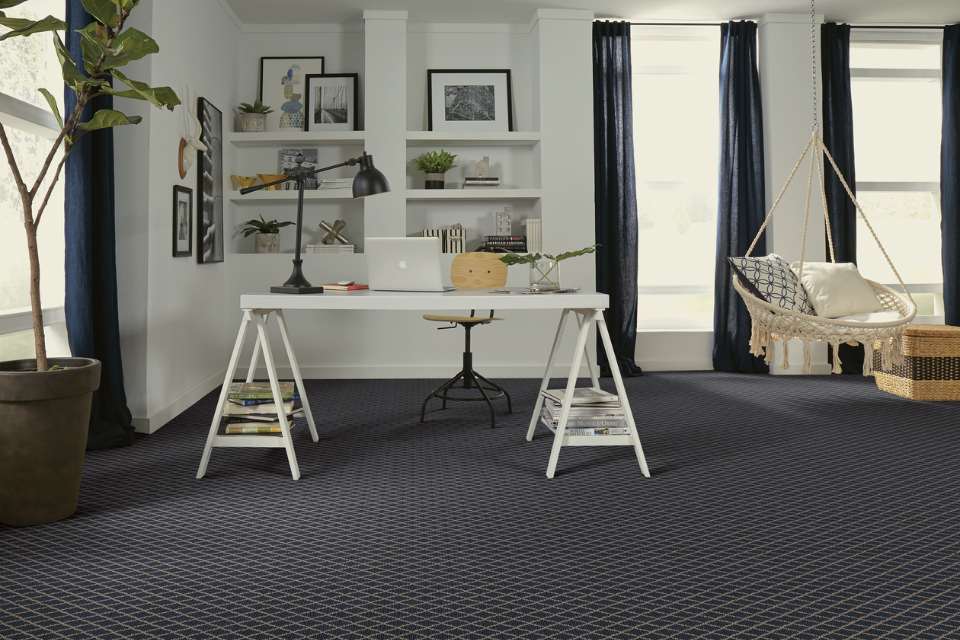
(586, 307)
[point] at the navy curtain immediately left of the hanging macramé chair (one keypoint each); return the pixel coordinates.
(741, 194)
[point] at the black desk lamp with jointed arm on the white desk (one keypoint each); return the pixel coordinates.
(368, 181)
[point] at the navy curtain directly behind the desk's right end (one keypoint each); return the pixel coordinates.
(615, 195)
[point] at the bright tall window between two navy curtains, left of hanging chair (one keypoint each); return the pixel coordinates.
(676, 140)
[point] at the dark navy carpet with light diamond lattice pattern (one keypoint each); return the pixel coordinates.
(779, 508)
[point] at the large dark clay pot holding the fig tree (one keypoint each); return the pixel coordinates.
(44, 418)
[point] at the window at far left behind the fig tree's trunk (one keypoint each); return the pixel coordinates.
(29, 63)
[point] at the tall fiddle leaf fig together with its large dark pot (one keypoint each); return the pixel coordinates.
(45, 402)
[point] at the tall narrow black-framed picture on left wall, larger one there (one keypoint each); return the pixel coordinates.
(210, 184)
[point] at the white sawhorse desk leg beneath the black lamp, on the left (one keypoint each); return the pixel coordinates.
(260, 319)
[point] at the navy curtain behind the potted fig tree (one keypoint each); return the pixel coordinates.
(91, 269)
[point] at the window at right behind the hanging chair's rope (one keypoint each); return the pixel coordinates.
(896, 84)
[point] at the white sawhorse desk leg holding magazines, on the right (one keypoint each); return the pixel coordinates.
(585, 318)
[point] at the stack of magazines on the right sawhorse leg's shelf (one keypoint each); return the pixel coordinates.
(592, 413)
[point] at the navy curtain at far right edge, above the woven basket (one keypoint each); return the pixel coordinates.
(950, 175)
